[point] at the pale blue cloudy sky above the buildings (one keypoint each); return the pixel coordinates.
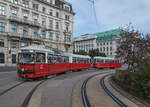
(111, 14)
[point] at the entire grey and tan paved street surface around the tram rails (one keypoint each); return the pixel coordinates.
(62, 91)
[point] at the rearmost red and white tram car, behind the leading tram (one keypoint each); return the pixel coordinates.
(106, 62)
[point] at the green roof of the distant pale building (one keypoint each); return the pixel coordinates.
(109, 35)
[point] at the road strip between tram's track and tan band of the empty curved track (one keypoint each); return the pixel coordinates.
(57, 92)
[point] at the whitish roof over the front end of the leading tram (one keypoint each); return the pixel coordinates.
(36, 48)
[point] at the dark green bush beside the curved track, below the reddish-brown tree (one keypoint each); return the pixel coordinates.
(136, 82)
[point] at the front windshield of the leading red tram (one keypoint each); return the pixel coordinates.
(26, 58)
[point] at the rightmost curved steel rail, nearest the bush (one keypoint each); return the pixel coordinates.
(110, 94)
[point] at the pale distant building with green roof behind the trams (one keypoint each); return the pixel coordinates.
(107, 42)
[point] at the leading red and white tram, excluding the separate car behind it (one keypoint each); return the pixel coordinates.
(37, 61)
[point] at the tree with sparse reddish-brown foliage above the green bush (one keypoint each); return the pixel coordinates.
(134, 48)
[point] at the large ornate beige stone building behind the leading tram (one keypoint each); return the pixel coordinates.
(26, 22)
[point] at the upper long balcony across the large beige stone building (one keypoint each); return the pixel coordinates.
(24, 21)
